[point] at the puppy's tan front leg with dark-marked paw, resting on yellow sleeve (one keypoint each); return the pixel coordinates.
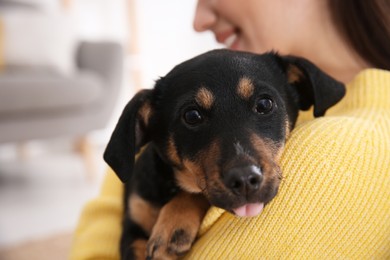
(177, 226)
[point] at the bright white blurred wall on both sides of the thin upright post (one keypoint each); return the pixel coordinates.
(165, 34)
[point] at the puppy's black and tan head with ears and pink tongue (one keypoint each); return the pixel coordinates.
(221, 120)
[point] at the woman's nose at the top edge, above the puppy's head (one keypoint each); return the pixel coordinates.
(205, 17)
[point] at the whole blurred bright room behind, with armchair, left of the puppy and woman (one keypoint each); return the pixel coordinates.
(67, 68)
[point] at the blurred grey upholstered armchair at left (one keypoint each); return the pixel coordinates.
(36, 104)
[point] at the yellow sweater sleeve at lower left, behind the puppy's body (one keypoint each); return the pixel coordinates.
(98, 232)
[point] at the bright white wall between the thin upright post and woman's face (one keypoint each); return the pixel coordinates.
(166, 36)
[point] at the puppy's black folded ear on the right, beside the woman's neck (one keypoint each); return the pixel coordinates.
(314, 87)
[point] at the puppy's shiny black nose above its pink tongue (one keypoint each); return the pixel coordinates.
(243, 180)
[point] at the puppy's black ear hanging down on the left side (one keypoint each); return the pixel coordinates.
(130, 134)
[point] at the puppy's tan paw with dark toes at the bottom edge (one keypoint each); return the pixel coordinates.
(170, 244)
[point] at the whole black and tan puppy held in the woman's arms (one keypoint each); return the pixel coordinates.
(213, 131)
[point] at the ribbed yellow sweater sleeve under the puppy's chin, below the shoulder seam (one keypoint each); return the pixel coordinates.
(333, 202)
